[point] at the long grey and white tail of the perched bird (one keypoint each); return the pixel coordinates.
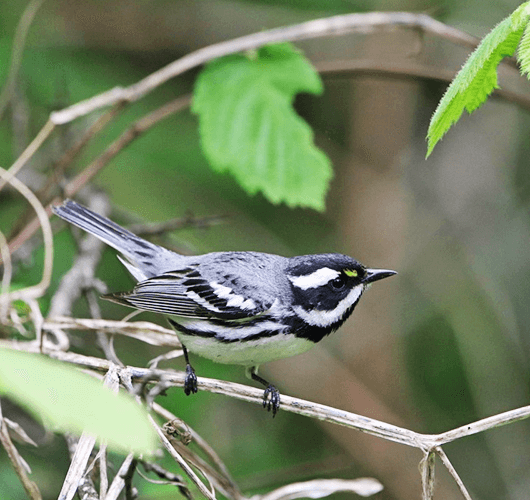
(145, 259)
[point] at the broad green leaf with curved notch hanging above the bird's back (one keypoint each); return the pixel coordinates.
(249, 128)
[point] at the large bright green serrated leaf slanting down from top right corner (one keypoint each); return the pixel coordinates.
(478, 77)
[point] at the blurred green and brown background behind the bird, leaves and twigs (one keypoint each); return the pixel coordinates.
(442, 344)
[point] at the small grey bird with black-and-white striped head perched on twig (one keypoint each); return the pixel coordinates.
(243, 308)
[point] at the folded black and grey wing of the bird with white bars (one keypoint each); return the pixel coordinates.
(186, 293)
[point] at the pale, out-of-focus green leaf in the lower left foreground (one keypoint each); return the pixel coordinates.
(75, 402)
